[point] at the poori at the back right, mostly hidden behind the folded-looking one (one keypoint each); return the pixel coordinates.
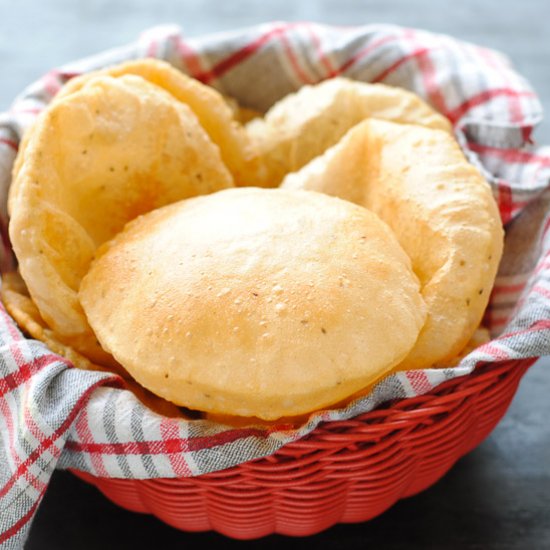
(301, 126)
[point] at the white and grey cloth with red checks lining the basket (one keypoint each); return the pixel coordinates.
(52, 415)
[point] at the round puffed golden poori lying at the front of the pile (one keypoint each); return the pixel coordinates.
(257, 302)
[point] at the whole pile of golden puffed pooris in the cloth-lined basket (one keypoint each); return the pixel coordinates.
(263, 269)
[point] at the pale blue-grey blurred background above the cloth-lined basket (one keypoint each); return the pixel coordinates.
(38, 35)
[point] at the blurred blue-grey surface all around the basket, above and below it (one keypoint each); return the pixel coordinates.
(498, 497)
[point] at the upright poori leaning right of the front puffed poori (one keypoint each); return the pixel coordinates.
(441, 211)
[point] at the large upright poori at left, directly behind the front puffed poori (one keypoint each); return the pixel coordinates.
(93, 161)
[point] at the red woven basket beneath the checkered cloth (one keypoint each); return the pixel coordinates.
(343, 472)
